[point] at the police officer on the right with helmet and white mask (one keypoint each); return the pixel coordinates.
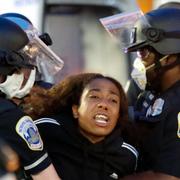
(156, 39)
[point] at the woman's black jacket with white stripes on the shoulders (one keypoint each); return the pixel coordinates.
(75, 158)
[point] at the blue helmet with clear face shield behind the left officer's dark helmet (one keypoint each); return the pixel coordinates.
(46, 61)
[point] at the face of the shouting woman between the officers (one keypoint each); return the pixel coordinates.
(98, 111)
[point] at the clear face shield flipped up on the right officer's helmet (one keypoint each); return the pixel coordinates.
(123, 27)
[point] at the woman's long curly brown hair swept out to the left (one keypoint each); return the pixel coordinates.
(62, 96)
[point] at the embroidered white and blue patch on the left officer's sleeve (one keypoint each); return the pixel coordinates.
(29, 132)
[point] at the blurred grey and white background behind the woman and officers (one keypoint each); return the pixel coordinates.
(78, 36)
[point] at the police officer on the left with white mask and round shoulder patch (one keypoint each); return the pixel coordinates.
(17, 129)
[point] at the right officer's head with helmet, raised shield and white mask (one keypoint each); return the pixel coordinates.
(155, 36)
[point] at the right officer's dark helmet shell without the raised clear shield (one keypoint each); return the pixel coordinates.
(162, 32)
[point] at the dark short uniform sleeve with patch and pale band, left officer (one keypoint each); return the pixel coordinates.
(19, 131)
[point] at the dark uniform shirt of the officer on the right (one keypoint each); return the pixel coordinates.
(161, 146)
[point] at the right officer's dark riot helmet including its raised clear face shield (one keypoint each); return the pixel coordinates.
(159, 28)
